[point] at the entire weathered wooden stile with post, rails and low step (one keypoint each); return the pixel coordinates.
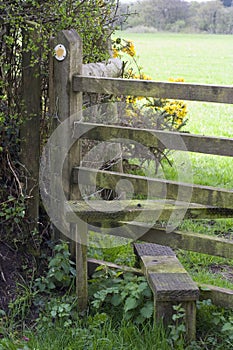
(71, 79)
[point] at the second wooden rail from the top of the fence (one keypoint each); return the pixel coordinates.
(222, 146)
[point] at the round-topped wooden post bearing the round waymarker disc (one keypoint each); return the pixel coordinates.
(66, 103)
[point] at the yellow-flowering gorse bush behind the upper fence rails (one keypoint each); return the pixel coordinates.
(150, 113)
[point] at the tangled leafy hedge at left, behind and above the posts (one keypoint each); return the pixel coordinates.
(94, 21)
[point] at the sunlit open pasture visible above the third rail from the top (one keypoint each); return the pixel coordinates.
(197, 58)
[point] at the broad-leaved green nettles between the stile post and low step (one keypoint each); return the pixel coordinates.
(111, 289)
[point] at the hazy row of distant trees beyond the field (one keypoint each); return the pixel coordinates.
(215, 17)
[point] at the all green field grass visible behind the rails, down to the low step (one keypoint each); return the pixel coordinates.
(202, 59)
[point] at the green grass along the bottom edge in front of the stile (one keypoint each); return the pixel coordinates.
(102, 335)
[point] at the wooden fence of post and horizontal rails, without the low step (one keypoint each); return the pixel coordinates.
(67, 85)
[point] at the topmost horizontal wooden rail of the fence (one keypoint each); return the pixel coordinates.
(184, 91)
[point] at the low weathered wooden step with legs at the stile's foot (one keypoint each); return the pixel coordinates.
(170, 283)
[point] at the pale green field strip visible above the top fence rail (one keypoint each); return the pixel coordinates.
(198, 58)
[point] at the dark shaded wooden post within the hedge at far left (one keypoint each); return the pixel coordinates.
(30, 129)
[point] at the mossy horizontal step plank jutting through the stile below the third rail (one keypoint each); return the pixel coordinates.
(149, 210)
